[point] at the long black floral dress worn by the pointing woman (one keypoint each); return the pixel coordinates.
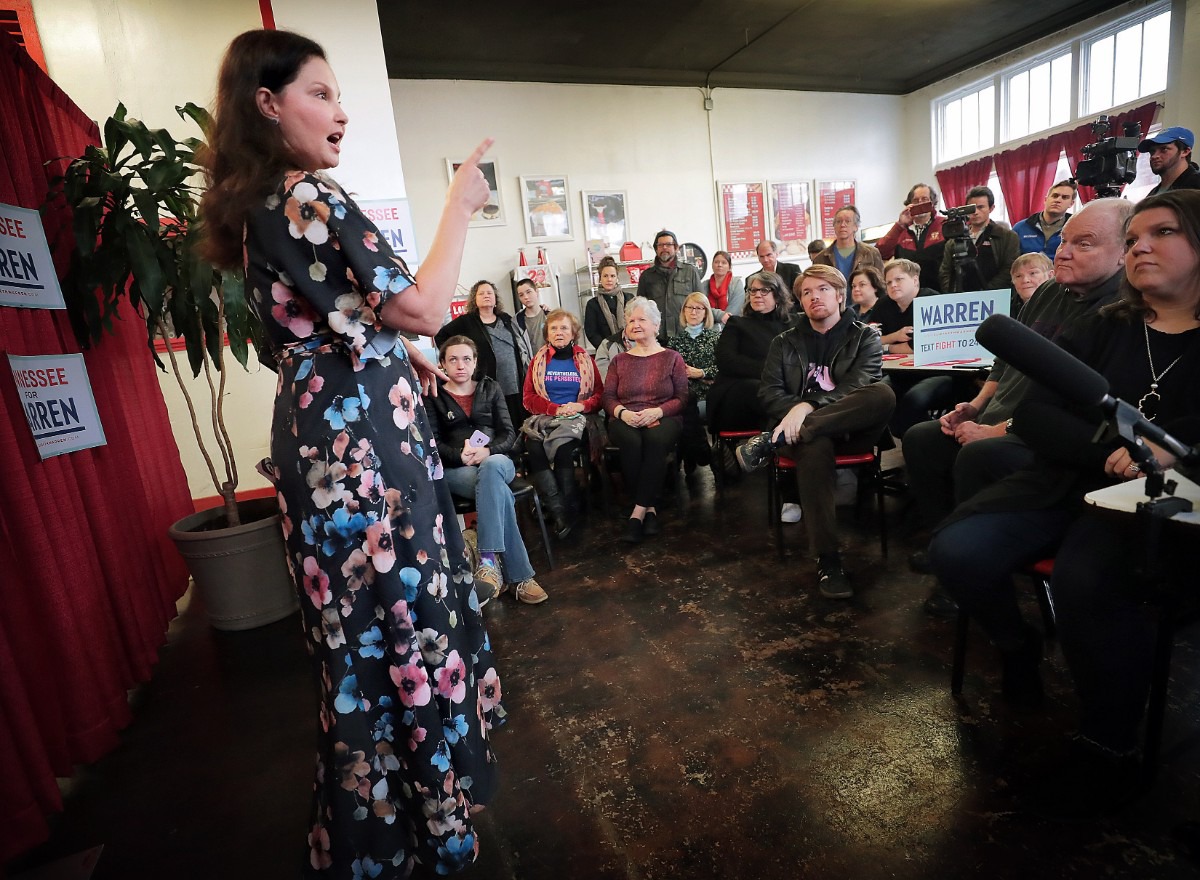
(409, 686)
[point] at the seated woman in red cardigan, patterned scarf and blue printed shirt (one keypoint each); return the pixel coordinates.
(563, 387)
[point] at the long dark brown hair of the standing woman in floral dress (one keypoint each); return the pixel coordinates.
(247, 154)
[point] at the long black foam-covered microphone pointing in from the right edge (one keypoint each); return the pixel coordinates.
(1049, 366)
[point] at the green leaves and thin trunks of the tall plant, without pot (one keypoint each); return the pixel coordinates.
(135, 202)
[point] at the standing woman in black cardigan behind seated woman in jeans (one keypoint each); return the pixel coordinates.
(503, 348)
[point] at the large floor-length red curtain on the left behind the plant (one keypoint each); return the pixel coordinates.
(88, 577)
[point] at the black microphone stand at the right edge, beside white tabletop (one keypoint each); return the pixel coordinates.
(1127, 423)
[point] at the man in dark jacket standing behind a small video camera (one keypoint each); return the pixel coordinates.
(985, 253)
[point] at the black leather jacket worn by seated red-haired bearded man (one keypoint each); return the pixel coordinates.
(856, 361)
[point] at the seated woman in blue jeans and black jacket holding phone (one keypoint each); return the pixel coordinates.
(463, 408)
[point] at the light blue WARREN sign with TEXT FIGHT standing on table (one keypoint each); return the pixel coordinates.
(944, 327)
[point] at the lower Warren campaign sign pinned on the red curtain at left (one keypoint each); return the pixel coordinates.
(58, 402)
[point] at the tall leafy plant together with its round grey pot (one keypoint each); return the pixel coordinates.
(135, 203)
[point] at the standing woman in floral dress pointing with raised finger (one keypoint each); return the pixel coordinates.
(409, 686)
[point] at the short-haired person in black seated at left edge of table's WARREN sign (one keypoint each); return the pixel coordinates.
(916, 394)
